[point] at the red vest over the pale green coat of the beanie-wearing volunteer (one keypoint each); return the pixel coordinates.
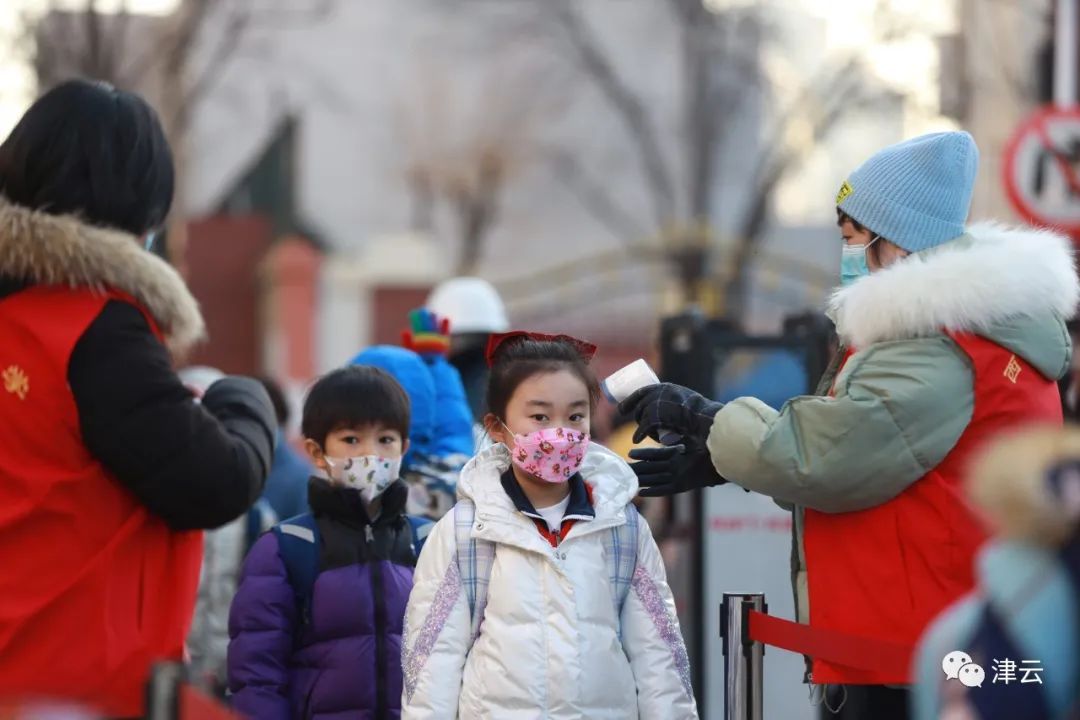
(886, 573)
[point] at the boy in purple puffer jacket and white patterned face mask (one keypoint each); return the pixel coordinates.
(317, 622)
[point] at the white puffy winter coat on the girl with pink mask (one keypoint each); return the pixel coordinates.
(549, 645)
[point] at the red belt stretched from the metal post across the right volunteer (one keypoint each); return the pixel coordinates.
(849, 650)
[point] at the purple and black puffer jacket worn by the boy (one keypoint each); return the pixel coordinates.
(346, 662)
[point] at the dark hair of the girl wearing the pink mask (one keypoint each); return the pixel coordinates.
(518, 361)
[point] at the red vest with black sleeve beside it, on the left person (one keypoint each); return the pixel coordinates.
(93, 589)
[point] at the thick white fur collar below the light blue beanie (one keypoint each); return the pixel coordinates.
(990, 275)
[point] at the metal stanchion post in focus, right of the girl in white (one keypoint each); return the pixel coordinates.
(744, 659)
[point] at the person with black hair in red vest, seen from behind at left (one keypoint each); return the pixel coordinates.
(109, 467)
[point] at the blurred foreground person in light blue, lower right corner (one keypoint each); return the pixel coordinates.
(1028, 605)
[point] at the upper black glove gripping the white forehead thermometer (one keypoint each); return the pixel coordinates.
(673, 409)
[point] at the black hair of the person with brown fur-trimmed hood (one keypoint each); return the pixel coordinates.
(89, 150)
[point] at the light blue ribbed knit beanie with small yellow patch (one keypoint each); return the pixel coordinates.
(916, 194)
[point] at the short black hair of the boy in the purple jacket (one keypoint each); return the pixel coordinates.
(353, 398)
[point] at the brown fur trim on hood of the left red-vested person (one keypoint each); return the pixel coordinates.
(51, 250)
